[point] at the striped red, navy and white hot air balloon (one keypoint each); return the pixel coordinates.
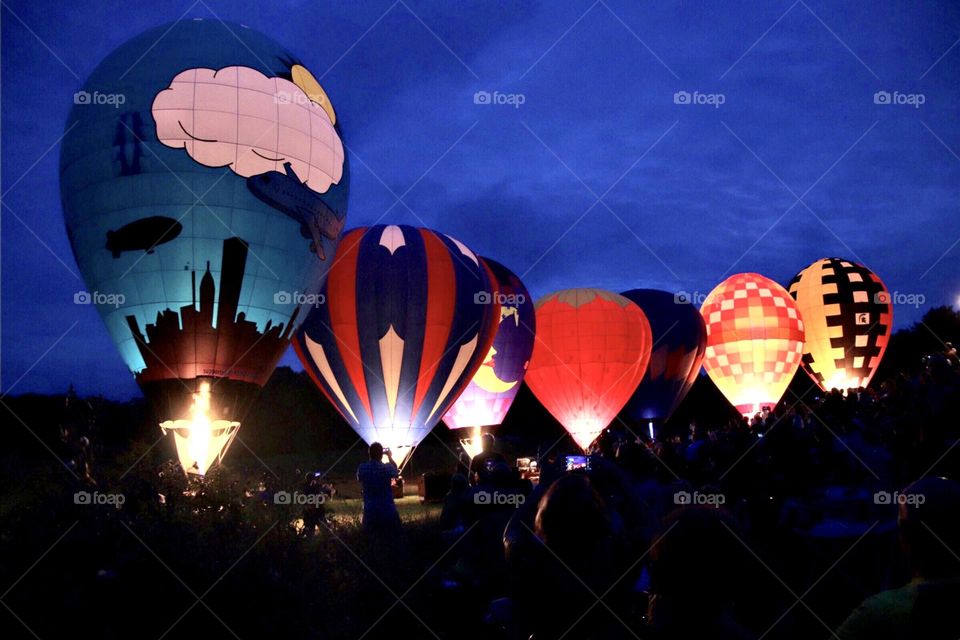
(408, 319)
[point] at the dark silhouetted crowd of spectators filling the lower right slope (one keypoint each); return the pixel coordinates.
(829, 516)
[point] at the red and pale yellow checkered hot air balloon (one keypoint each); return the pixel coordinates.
(754, 340)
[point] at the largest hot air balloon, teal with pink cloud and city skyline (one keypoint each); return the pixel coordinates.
(204, 188)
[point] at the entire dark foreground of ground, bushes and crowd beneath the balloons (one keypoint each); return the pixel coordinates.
(794, 523)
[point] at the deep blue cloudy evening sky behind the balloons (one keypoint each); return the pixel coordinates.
(798, 163)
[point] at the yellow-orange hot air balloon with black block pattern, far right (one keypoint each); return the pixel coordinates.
(848, 317)
